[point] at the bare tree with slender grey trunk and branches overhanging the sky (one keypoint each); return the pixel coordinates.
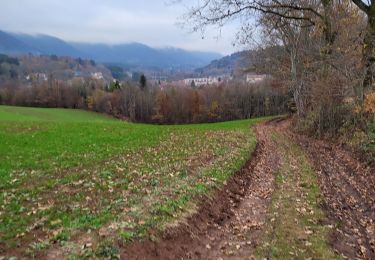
(287, 20)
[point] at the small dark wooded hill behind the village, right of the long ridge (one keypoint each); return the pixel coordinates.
(227, 65)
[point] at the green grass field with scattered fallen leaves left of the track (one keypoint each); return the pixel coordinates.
(68, 173)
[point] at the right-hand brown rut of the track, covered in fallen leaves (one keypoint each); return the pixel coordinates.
(348, 187)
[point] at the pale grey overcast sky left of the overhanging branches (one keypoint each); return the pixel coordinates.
(152, 22)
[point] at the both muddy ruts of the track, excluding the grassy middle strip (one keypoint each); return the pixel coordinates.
(230, 224)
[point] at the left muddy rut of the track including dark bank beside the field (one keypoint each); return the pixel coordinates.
(228, 225)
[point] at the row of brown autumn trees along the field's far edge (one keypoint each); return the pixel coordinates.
(153, 104)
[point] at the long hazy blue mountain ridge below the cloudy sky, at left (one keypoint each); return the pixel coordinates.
(135, 55)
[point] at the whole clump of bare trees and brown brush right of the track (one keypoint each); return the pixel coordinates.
(321, 38)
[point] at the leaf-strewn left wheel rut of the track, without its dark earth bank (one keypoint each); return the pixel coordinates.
(238, 237)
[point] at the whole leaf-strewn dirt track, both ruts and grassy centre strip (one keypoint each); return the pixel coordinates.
(255, 215)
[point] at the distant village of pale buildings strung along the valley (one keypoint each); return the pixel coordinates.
(81, 71)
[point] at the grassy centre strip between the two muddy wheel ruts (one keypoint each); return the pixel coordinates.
(294, 229)
